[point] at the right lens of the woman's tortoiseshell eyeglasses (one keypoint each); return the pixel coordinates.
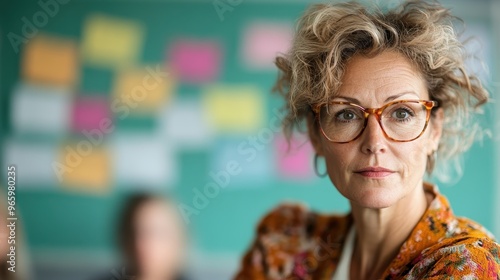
(404, 121)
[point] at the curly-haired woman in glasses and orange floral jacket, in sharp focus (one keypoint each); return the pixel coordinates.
(382, 95)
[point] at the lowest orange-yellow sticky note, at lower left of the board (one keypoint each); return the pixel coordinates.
(85, 167)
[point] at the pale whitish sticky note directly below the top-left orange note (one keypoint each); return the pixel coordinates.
(40, 110)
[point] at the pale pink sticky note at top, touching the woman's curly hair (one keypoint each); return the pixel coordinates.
(262, 42)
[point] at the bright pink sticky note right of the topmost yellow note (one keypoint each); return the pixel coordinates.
(195, 61)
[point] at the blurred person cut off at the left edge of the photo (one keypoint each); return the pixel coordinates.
(22, 264)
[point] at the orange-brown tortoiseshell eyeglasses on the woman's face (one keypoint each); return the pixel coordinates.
(401, 120)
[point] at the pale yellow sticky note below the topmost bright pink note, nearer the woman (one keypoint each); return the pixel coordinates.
(238, 109)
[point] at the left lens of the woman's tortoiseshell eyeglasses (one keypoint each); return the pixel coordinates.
(341, 122)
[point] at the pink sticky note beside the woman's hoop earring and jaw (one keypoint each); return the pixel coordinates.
(294, 161)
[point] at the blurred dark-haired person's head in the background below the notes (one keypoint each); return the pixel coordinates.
(152, 237)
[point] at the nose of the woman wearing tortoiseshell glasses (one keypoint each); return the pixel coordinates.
(373, 139)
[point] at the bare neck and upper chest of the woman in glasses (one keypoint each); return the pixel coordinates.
(381, 232)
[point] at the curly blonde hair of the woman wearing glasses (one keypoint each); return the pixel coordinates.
(328, 35)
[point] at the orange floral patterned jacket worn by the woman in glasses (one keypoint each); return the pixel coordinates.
(294, 243)
